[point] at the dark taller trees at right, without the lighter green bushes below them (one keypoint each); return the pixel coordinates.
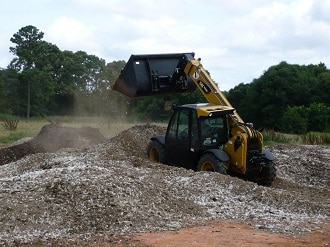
(267, 98)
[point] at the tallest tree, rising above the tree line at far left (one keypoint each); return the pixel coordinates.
(43, 62)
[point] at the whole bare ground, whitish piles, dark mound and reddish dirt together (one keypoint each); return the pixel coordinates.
(73, 187)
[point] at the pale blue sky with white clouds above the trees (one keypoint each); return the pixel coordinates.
(237, 40)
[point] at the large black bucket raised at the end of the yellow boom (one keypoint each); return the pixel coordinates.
(154, 74)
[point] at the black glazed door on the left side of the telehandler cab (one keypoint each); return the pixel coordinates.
(181, 133)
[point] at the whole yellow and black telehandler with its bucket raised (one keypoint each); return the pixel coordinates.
(203, 136)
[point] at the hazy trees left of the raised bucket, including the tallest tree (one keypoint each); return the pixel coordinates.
(43, 80)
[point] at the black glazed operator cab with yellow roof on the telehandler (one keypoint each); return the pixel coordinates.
(194, 128)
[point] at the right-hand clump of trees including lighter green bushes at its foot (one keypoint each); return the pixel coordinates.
(287, 97)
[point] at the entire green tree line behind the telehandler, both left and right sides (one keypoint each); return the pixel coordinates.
(42, 80)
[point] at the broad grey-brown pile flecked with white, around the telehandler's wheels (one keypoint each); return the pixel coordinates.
(112, 188)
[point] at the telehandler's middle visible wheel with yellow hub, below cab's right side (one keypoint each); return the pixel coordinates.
(209, 162)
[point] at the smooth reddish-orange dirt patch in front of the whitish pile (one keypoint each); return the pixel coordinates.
(235, 234)
